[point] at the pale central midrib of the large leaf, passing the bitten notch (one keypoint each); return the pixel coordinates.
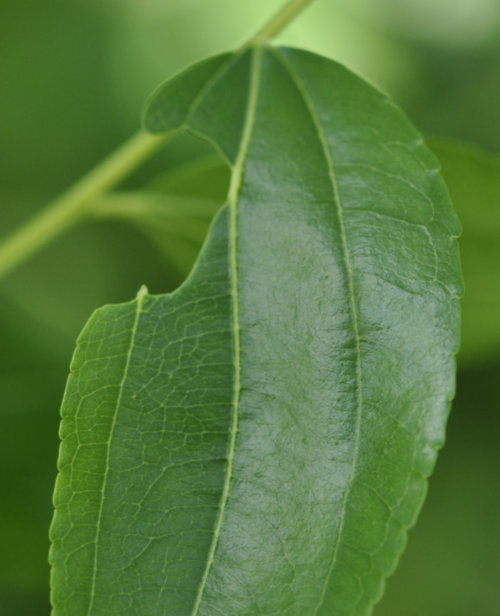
(234, 190)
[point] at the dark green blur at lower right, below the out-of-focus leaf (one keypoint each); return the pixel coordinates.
(451, 566)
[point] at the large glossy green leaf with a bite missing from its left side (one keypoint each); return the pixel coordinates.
(258, 441)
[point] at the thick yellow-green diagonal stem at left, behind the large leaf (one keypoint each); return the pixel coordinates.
(71, 206)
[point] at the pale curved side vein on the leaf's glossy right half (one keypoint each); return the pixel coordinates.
(301, 88)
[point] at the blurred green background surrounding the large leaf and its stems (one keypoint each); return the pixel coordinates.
(73, 77)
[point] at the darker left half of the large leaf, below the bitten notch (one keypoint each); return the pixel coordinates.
(144, 453)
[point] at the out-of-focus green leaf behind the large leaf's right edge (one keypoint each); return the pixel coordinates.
(473, 178)
